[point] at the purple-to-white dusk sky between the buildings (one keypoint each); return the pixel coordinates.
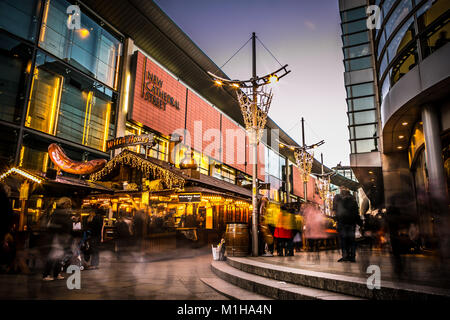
(303, 34)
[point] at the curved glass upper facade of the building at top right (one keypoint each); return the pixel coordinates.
(410, 31)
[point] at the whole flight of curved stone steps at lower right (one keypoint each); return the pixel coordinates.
(247, 279)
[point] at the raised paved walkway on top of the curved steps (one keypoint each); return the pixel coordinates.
(418, 269)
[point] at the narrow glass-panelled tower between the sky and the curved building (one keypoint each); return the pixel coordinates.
(362, 98)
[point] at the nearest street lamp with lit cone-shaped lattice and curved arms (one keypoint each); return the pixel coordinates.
(254, 98)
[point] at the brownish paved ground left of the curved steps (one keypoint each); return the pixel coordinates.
(171, 276)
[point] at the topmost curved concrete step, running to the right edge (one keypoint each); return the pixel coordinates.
(339, 284)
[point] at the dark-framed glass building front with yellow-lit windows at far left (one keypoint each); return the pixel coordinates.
(57, 84)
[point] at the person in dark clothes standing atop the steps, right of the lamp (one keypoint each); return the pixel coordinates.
(346, 211)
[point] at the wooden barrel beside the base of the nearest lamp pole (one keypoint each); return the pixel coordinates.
(236, 239)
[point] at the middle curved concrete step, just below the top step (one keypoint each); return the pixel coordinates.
(272, 288)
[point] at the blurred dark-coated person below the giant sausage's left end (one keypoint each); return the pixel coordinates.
(59, 229)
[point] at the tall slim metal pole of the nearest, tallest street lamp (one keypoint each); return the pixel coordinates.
(255, 155)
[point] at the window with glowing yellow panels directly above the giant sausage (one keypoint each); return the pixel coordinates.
(69, 105)
